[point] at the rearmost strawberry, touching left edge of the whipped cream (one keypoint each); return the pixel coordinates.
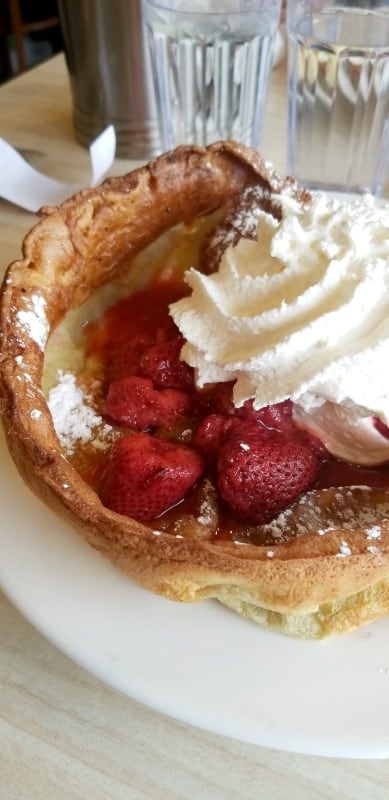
(161, 362)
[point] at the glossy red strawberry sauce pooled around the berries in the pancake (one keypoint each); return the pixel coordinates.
(144, 315)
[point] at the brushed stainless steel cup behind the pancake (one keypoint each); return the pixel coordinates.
(110, 75)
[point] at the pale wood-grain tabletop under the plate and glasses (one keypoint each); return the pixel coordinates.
(64, 735)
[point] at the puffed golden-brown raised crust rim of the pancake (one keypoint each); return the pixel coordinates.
(306, 586)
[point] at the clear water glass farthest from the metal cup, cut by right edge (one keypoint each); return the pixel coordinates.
(338, 89)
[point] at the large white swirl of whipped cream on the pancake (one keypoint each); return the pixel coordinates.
(301, 313)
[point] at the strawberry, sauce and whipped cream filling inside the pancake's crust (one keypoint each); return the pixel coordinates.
(234, 404)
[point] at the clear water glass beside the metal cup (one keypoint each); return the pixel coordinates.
(211, 63)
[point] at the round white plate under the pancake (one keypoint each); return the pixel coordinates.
(198, 663)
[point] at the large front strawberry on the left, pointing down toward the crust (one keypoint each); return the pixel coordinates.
(146, 476)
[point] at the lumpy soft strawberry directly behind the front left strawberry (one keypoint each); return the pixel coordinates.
(134, 403)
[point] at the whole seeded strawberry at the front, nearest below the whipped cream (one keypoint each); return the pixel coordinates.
(261, 472)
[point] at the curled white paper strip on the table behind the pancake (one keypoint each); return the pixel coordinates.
(23, 185)
